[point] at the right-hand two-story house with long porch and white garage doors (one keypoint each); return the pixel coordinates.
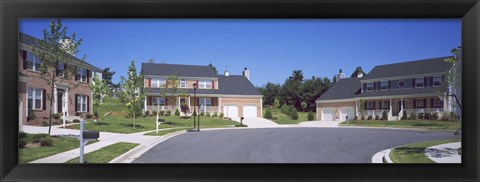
(414, 87)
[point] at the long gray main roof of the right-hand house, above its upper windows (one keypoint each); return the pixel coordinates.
(426, 66)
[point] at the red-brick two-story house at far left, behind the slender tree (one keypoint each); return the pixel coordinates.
(71, 96)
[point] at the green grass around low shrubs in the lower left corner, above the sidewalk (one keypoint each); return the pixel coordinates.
(59, 144)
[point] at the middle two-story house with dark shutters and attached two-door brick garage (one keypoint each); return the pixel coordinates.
(233, 95)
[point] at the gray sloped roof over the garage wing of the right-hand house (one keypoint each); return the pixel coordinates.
(345, 88)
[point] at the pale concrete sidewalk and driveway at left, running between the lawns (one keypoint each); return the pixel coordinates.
(106, 138)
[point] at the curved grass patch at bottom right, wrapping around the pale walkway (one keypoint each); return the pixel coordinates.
(415, 153)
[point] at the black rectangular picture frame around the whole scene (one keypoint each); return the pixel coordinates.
(11, 11)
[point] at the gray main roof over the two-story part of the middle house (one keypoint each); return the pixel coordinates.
(161, 69)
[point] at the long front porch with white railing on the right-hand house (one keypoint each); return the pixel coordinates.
(395, 108)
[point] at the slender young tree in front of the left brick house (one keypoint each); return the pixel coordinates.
(55, 50)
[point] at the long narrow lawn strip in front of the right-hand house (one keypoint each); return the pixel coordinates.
(420, 124)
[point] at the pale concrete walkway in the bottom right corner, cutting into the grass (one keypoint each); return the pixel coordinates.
(445, 153)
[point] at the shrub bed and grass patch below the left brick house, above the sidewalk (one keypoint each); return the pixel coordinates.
(34, 150)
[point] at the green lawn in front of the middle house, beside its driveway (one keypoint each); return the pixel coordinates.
(117, 123)
